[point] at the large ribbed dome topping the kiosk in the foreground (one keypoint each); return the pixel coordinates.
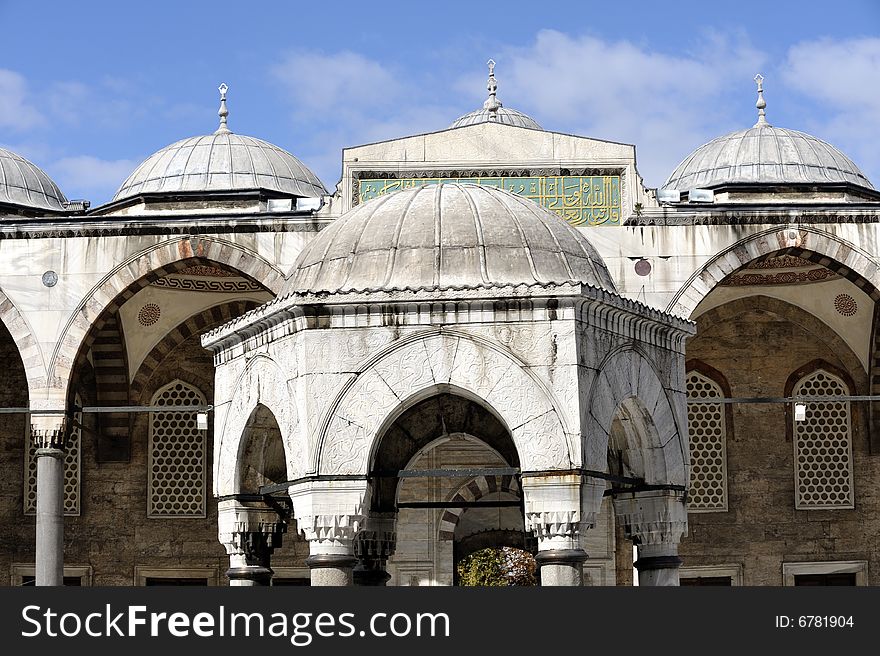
(446, 236)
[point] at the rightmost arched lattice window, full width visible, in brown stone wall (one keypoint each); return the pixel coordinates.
(823, 446)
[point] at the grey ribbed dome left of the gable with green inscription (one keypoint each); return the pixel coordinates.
(221, 162)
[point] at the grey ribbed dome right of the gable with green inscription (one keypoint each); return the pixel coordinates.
(765, 155)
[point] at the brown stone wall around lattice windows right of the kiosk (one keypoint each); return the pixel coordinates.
(757, 343)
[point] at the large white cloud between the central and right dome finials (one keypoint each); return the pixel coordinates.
(621, 91)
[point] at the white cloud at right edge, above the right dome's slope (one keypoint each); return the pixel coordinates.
(843, 79)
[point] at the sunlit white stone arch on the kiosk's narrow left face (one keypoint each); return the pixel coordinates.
(262, 382)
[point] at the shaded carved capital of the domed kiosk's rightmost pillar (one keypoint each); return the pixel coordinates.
(652, 517)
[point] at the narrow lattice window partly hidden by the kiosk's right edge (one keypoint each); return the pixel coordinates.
(708, 438)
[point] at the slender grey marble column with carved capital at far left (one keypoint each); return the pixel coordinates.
(49, 433)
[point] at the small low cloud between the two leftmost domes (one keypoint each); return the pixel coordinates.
(84, 176)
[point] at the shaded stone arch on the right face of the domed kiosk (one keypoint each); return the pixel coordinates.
(627, 387)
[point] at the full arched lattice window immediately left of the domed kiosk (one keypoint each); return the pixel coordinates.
(177, 455)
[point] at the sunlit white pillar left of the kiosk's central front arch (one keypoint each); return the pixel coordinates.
(329, 514)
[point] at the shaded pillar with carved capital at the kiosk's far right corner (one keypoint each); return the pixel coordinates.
(655, 520)
